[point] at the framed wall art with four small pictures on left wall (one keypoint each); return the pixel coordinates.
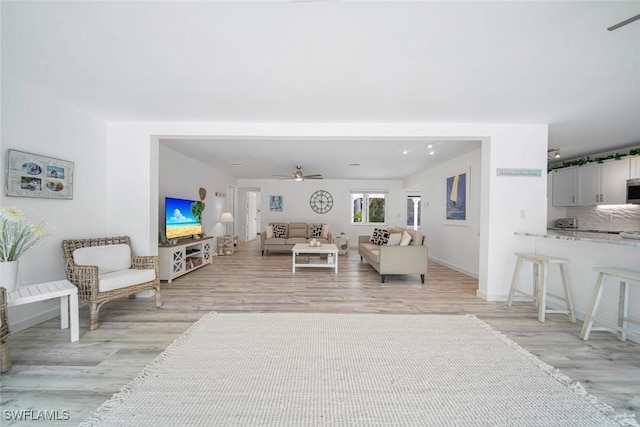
(33, 175)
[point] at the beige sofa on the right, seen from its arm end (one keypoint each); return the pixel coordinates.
(395, 251)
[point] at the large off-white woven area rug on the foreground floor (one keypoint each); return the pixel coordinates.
(305, 369)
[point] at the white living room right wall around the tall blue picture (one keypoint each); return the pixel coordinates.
(457, 246)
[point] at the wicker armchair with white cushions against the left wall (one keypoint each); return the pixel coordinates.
(87, 277)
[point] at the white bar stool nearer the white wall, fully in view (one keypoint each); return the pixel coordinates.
(540, 294)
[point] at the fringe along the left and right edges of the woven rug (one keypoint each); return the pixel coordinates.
(627, 420)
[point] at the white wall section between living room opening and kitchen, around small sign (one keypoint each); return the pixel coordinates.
(509, 203)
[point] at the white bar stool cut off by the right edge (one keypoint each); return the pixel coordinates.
(623, 276)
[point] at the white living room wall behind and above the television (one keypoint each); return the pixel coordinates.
(181, 176)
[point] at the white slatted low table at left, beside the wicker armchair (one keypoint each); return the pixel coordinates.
(62, 289)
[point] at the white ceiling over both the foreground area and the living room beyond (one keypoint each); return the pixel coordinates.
(338, 62)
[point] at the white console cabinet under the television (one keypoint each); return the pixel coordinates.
(183, 257)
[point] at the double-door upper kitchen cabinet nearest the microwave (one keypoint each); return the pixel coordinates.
(603, 183)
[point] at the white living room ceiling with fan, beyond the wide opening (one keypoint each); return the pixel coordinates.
(362, 158)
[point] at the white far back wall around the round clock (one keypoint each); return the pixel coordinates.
(296, 206)
